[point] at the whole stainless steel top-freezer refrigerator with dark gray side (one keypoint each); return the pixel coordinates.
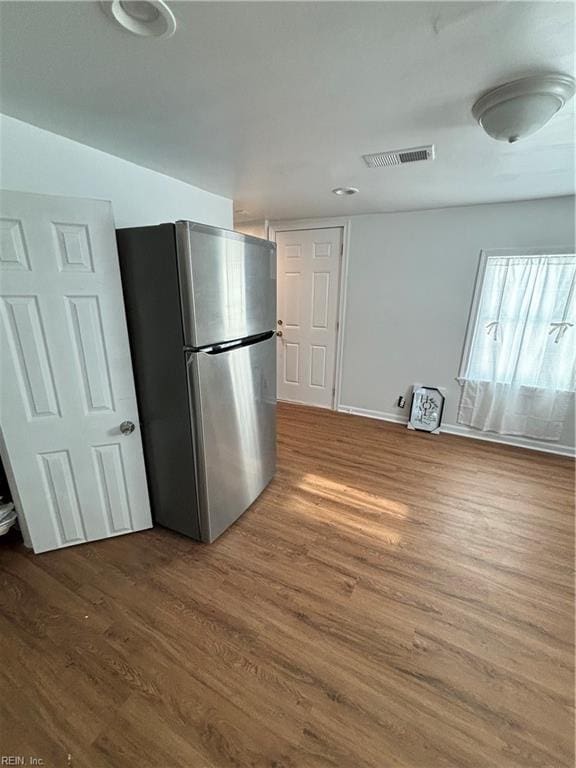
(201, 311)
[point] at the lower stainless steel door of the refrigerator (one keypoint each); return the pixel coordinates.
(233, 411)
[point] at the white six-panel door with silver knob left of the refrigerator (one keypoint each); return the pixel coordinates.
(66, 376)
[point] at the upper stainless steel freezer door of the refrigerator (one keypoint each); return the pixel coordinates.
(227, 284)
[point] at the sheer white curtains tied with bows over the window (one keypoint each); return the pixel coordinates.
(520, 372)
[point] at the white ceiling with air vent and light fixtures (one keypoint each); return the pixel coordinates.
(274, 103)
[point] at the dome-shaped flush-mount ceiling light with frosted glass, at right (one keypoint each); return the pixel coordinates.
(522, 107)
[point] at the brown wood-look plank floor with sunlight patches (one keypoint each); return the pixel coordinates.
(394, 599)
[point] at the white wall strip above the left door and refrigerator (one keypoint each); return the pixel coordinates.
(34, 160)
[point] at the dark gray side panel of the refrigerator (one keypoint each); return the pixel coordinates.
(151, 294)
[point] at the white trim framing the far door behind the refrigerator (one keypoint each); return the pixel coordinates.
(329, 223)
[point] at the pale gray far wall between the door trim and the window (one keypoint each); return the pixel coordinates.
(410, 283)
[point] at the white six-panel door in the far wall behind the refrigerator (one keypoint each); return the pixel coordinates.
(308, 289)
